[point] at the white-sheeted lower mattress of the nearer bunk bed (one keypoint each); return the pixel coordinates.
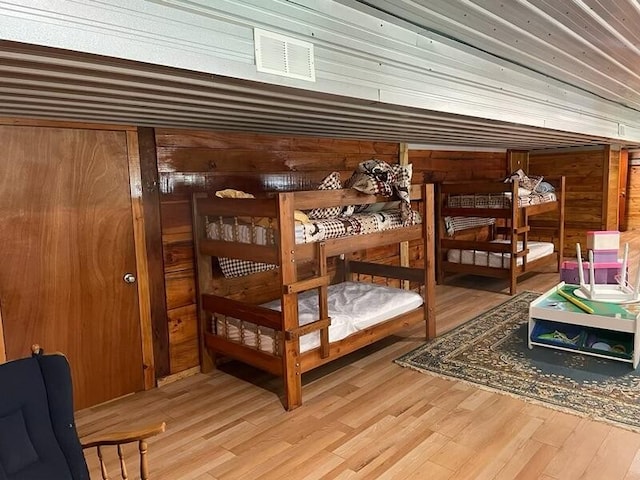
(353, 306)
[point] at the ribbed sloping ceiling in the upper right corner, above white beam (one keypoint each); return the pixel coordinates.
(590, 44)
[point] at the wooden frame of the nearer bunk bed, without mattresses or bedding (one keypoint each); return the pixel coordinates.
(285, 253)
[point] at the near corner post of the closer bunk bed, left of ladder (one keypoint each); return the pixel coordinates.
(291, 370)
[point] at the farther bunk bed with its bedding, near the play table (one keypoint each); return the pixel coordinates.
(511, 217)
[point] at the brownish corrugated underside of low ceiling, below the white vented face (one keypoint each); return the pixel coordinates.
(44, 84)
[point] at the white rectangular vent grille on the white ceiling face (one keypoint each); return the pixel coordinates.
(284, 56)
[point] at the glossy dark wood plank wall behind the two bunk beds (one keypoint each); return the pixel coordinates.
(190, 161)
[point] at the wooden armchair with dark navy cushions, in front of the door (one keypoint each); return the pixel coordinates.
(38, 436)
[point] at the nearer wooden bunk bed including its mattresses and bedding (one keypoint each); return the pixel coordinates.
(302, 327)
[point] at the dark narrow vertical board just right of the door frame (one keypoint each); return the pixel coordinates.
(155, 255)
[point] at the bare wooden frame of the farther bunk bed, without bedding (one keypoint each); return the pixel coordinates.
(518, 223)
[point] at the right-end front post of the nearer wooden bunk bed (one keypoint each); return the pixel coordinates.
(428, 236)
